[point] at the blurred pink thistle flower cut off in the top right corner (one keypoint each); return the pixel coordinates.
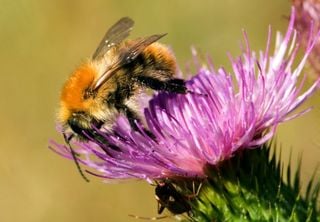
(308, 14)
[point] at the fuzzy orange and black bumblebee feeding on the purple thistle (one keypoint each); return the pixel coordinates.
(108, 83)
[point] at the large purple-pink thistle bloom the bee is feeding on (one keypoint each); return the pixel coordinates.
(225, 112)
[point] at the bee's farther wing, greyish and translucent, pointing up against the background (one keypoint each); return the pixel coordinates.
(115, 35)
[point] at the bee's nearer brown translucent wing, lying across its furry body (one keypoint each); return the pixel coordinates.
(126, 56)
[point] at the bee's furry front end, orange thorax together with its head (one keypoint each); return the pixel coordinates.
(82, 107)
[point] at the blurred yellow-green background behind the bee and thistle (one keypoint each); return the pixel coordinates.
(41, 42)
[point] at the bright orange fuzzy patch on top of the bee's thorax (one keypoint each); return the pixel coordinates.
(72, 94)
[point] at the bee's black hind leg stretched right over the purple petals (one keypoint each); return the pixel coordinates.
(171, 85)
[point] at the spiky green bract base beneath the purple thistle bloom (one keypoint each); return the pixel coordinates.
(251, 187)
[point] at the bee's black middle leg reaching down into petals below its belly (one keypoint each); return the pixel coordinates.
(133, 118)
